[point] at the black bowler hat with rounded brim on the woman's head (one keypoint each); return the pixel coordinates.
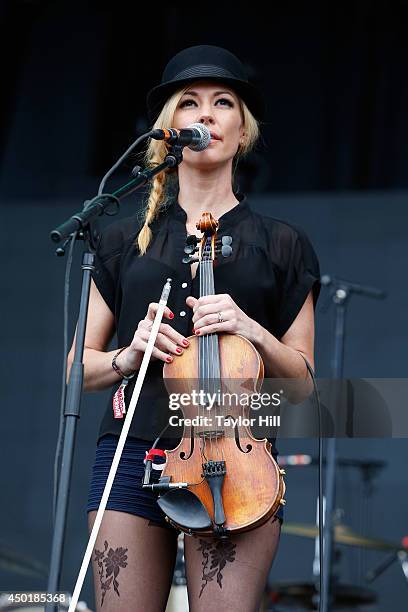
(204, 62)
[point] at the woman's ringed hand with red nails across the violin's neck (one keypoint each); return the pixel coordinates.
(210, 309)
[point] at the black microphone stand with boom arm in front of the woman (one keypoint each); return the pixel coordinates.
(82, 225)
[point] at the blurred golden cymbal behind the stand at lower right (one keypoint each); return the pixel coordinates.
(342, 535)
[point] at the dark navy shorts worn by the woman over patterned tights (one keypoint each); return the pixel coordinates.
(127, 493)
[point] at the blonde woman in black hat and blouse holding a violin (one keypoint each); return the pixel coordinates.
(266, 291)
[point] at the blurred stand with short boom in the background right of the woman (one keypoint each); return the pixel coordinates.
(340, 295)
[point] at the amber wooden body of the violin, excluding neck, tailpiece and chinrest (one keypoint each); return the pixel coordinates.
(253, 487)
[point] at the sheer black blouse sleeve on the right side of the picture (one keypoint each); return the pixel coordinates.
(299, 273)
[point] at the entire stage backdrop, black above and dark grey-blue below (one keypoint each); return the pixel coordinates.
(334, 160)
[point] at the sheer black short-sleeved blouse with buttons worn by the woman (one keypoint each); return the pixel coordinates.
(272, 268)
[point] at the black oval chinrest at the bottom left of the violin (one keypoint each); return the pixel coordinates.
(185, 509)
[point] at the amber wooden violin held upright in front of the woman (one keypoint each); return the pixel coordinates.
(219, 480)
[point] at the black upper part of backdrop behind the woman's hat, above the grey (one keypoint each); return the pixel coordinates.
(76, 73)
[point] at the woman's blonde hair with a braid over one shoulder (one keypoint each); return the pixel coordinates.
(164, 184)
